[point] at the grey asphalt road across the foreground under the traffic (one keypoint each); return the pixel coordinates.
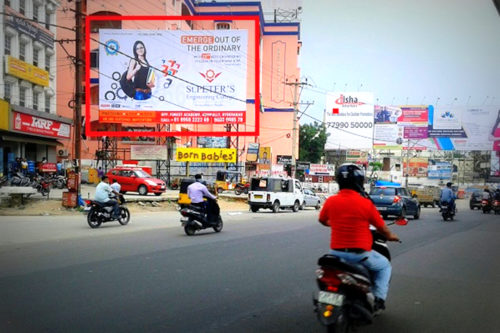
(257, 275)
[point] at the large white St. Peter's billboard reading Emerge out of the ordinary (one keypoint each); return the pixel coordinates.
(173, 76)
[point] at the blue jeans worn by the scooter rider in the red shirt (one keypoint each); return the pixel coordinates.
(377, 264)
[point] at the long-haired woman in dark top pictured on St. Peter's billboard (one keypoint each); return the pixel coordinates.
(142, 74)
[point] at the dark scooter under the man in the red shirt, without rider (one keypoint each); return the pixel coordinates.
(345, 299)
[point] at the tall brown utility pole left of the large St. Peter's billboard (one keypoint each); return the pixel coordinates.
(79, 65)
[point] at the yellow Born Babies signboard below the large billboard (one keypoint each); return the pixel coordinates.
(206, 155)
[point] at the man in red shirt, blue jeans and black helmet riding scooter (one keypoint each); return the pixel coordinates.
(349, 214)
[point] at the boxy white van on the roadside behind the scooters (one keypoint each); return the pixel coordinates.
(275, 193)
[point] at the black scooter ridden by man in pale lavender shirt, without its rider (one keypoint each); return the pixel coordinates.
(195, 218)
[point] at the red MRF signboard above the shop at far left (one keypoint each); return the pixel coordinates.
(26, 123)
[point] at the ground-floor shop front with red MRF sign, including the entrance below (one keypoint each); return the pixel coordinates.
(32, 136)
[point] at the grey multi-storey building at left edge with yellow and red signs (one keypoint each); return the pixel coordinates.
(29, 125)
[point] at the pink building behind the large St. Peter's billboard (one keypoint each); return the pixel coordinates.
(279, 50)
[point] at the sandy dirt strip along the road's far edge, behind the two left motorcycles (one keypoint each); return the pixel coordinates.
(54, 207)
